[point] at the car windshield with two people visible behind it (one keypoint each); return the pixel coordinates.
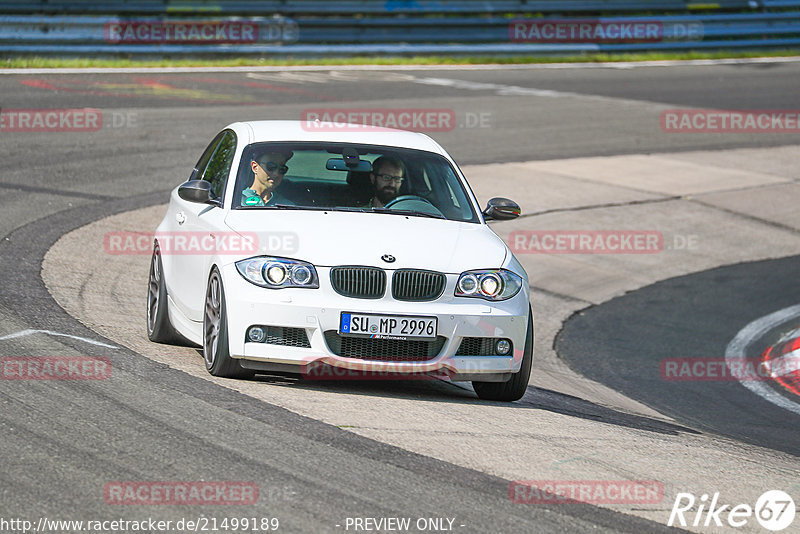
(350, 177)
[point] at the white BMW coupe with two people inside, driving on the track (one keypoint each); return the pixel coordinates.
(296, 246)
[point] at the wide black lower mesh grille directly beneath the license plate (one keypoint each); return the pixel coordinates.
(384, 350)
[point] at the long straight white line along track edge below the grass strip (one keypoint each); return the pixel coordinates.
(524, 66)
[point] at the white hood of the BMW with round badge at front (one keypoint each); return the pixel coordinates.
(341, 238)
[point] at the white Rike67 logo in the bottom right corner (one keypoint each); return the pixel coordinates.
(774, 510)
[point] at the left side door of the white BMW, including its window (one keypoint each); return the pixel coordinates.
(201, 225)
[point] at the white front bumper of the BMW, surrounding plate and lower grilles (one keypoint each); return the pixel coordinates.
(317, 311)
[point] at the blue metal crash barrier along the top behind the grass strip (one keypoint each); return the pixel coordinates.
(774, 25)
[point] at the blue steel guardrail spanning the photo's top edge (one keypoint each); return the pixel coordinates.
(280, 34)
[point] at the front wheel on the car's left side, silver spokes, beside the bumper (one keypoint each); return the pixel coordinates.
(215, 333)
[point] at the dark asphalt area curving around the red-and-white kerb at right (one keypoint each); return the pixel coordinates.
(623, 342)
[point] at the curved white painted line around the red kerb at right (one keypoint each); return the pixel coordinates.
(737, 349)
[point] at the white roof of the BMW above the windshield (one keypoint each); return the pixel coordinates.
(264, 131)
